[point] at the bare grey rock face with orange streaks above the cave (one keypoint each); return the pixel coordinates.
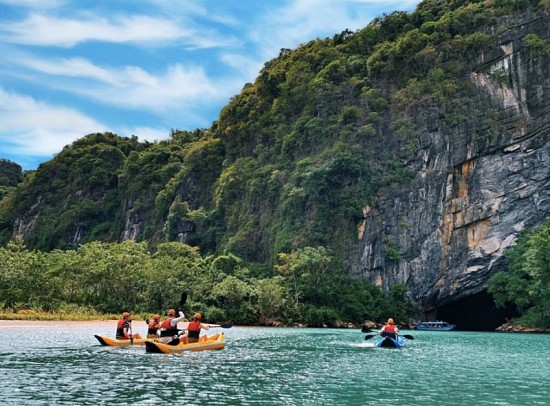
(478, 183)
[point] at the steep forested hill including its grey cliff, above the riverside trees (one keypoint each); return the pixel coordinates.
(416, 149)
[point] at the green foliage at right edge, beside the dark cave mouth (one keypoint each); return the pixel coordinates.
(527, 282)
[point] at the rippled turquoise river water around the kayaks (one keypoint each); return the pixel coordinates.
(275, 366)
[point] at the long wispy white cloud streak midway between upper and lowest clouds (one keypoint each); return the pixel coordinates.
(132, 87)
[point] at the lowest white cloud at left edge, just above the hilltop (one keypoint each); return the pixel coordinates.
(31, 127)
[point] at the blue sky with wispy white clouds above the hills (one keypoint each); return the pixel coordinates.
(69, 68)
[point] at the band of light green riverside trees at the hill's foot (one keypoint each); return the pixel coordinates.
(308, 286)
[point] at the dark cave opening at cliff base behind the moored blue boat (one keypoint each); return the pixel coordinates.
(476, 313)
